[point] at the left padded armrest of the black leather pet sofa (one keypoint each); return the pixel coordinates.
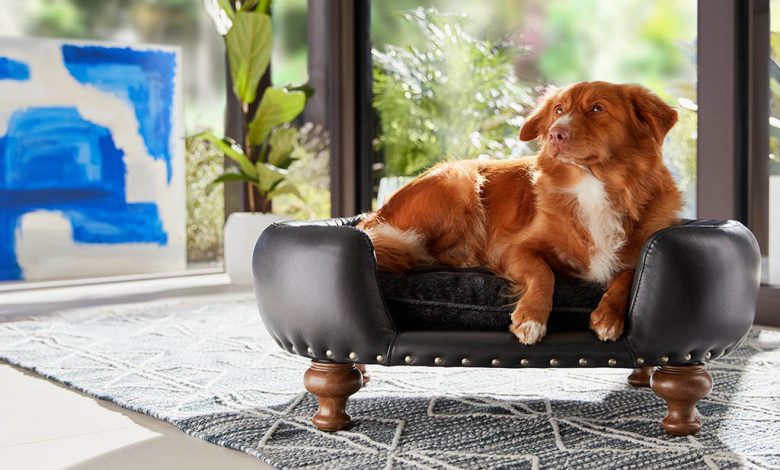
(329, 264)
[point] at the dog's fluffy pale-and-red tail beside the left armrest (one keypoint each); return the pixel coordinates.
(396, 250)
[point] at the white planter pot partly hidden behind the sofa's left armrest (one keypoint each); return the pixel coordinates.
(242, 230)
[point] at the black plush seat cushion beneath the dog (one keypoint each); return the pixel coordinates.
(438, 298)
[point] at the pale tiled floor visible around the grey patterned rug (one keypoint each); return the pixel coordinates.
(44, 425)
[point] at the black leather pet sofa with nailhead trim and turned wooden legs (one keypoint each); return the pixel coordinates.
(320, 296)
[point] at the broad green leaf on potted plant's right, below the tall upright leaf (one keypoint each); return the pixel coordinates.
(278, 106)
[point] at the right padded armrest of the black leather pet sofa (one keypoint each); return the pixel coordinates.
(694, 292)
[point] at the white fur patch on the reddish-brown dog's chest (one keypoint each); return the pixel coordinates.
(604, 225)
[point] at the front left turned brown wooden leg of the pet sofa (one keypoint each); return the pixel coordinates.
(332, 384)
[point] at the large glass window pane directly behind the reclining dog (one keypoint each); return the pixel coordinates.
(454, 79)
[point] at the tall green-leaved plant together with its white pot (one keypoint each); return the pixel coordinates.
(264, 155)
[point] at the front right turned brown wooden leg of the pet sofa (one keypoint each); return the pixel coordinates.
(681, 387)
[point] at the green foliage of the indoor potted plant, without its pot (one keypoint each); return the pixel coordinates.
(266, 153)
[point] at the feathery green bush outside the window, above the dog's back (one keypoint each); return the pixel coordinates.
(457, 97)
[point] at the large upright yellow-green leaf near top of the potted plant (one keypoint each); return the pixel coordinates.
(249, 50)
